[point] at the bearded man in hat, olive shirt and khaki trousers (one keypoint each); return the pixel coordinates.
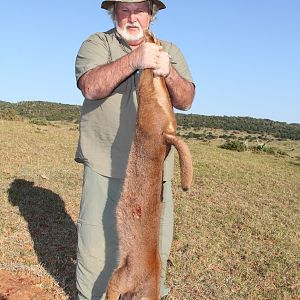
(107, 73)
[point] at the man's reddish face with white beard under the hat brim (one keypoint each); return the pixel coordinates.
(131, 19)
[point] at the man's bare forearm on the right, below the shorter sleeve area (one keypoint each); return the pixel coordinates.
(181, 91)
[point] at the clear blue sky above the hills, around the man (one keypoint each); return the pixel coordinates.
(244, 55)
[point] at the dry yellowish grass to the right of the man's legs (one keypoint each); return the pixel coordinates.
(237, 231)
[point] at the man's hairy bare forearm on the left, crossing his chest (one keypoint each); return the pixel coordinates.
(99, 82)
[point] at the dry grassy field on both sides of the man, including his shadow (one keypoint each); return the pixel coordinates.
(237, 231)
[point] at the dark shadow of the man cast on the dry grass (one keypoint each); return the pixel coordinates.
(52, 230)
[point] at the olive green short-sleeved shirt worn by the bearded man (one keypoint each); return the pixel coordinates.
(107, 125)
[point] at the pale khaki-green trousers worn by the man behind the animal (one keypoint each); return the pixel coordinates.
(97, 253)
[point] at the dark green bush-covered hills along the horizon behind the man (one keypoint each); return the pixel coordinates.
(49, 111)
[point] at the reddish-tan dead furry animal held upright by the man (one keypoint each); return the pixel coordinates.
(139, 208)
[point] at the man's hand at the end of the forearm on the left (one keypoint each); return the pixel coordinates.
(145, 56)
